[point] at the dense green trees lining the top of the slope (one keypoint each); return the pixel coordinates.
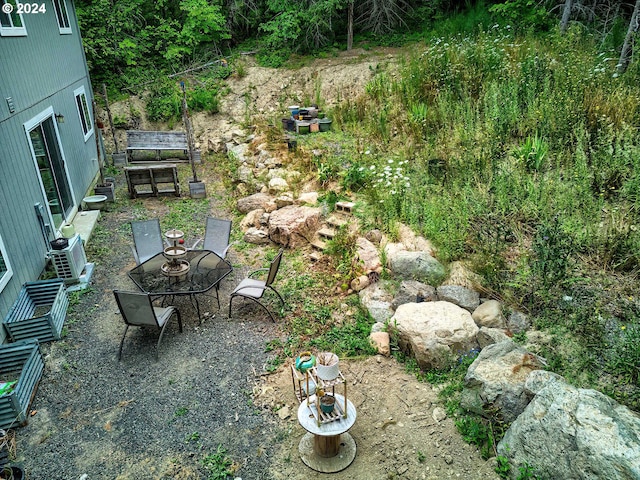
(127, 41)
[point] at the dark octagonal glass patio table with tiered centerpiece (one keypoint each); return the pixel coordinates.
(206, 271)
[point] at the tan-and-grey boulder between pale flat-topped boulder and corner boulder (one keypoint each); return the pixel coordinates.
(495, 381)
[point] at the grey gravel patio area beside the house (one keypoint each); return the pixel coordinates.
(142, 419)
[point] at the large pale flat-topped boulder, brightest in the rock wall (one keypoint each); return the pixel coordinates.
(434, 332)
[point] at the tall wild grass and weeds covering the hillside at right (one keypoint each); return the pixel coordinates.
(523, 155)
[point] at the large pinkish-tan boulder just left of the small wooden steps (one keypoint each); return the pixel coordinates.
(294, 225)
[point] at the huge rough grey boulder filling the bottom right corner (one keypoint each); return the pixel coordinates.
(571, 433)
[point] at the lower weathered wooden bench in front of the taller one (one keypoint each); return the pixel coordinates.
(152, 180)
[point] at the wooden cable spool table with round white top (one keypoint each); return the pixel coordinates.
(327, 447)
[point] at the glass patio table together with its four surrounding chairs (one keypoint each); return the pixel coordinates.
(166, 269)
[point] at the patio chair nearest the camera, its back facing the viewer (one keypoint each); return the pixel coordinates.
(138, 311)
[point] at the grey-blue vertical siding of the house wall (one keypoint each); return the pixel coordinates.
(39, 71)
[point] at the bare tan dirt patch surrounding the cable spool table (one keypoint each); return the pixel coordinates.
(395, 432)
